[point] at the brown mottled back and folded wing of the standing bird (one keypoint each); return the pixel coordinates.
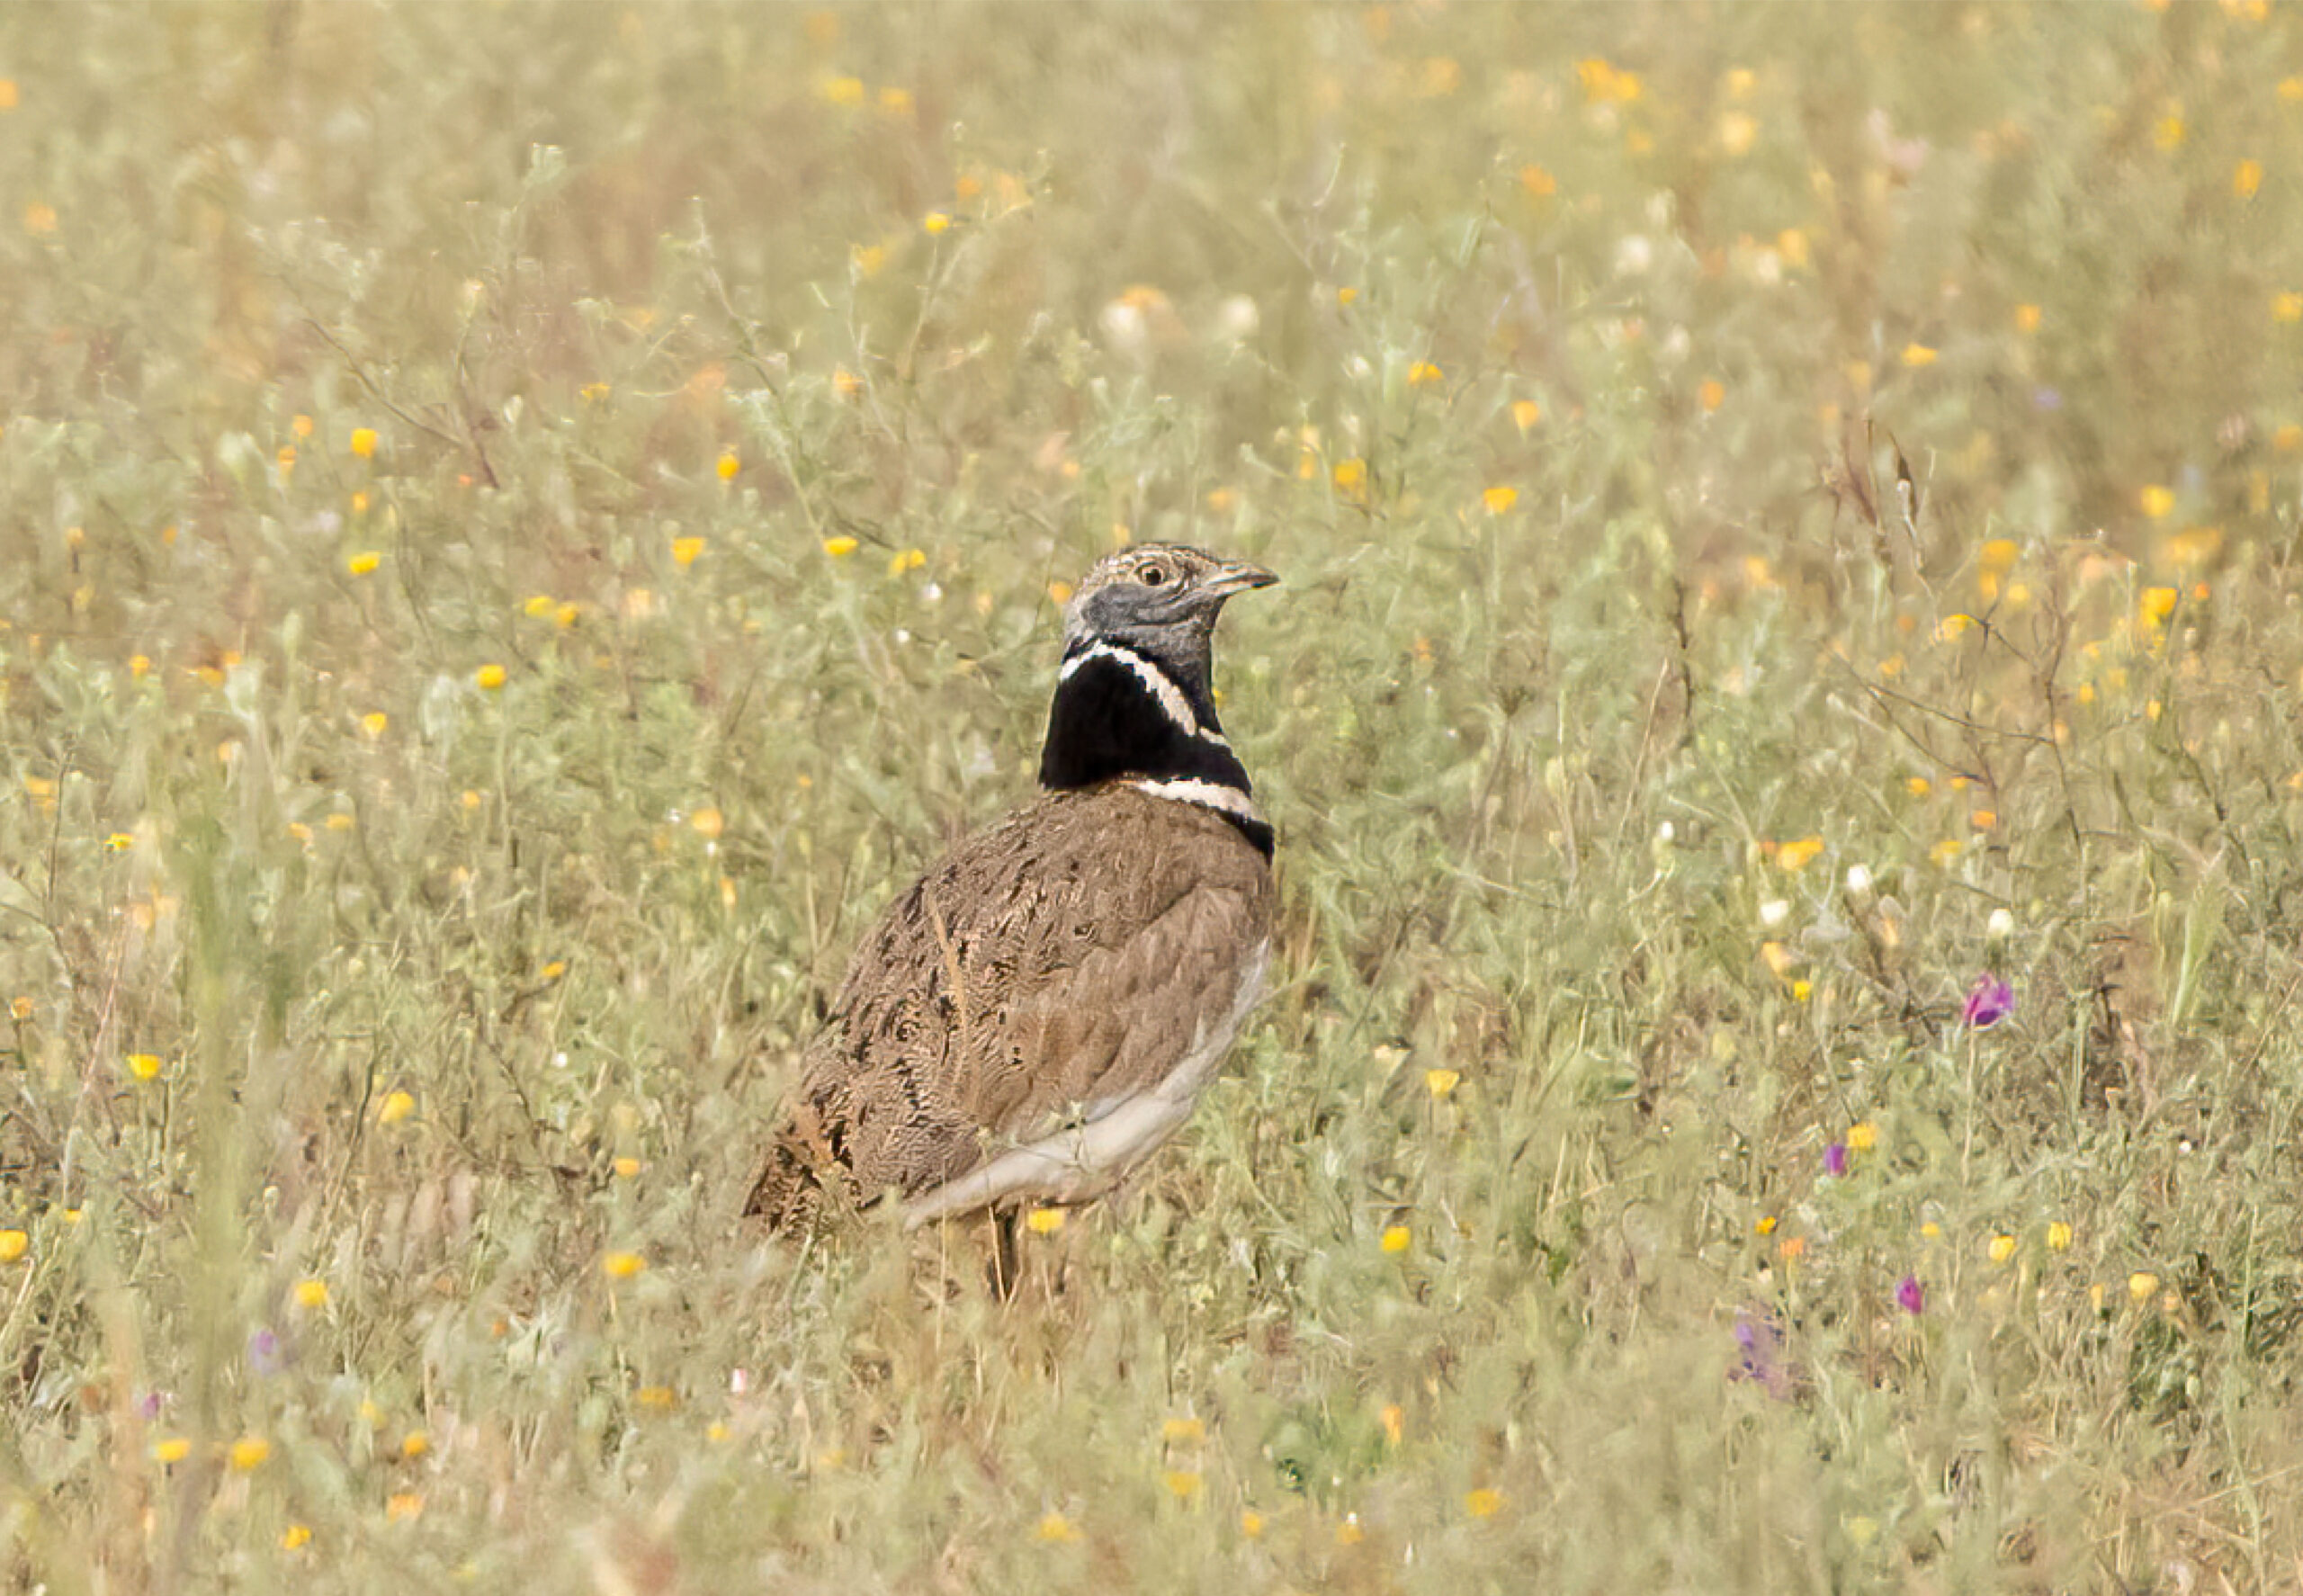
(1047, 968)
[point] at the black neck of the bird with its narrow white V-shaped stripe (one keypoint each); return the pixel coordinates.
(1120, 715)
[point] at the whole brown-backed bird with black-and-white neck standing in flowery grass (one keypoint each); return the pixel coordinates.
(1042, 1010)
